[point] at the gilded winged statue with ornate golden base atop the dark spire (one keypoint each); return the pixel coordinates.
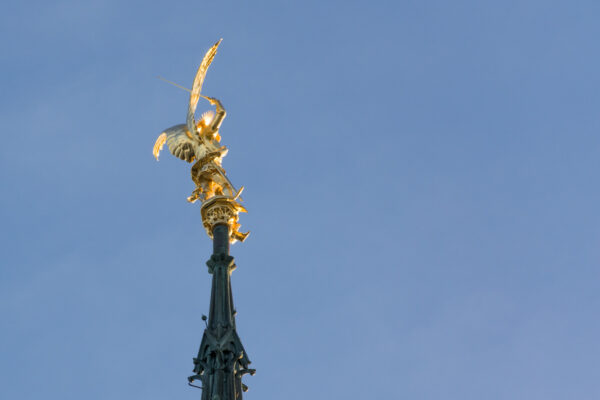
(200, 142)
